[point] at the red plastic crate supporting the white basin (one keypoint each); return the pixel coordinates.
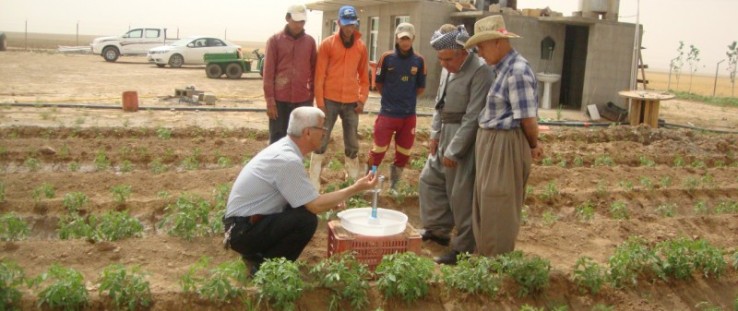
(369, 249)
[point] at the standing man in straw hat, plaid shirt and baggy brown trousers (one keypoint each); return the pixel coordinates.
(507, 140)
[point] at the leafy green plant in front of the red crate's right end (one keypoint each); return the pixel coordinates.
(404, 275)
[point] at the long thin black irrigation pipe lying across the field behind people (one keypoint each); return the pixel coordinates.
(423, 114)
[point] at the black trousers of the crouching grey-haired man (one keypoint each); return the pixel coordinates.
(278, 235)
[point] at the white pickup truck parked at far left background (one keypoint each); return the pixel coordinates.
(136, 41)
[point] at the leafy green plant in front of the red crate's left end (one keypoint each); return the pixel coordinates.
(346, 278)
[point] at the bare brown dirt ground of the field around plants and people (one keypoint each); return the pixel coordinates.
(692, 174)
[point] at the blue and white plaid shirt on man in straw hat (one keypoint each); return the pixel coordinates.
(512, 96)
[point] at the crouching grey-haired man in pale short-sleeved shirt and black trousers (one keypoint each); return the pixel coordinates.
(272, 209)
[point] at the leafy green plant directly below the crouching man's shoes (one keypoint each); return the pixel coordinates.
(280, 282)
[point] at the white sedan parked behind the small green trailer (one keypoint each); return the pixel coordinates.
(189, 51)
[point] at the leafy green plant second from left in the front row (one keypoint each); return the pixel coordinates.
(66, 290)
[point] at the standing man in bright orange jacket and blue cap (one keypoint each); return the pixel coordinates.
(341, 89)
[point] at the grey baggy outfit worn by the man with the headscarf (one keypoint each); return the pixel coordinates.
(446, 193)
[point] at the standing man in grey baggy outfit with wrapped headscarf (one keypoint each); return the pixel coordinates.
(447, 178)
